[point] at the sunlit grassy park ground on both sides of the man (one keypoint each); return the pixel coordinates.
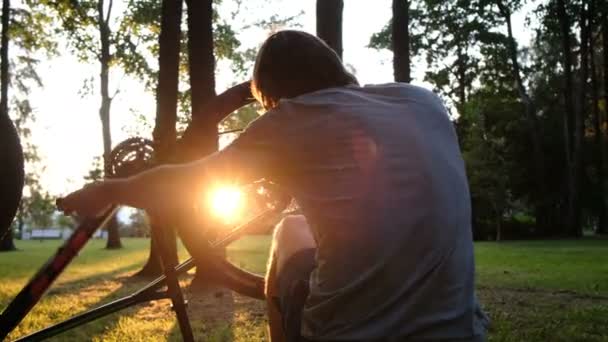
(533, 291)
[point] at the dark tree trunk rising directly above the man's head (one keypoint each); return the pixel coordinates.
(329, 23)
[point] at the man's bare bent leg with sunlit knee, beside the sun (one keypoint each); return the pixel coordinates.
(290, 236)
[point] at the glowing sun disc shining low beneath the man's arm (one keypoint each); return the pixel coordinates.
(226, 202)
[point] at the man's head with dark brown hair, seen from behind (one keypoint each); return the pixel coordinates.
(292, 63)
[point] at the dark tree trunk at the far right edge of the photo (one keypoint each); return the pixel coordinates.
(598, 141)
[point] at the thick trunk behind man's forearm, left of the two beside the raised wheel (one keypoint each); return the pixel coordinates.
(166, 111)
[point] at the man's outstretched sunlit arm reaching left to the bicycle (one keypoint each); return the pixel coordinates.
(258, 152)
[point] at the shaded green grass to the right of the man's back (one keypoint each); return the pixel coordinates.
(545, 290)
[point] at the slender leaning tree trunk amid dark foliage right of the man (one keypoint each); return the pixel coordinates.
(533, 126)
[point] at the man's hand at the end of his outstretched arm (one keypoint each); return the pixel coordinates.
(90, 201)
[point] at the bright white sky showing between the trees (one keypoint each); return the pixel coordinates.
(68, 130)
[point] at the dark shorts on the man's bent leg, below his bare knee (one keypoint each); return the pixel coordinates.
(292, 286)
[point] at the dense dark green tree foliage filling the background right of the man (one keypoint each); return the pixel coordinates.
(506, 98)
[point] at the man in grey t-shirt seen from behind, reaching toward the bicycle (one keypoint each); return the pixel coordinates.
(384, 249)
